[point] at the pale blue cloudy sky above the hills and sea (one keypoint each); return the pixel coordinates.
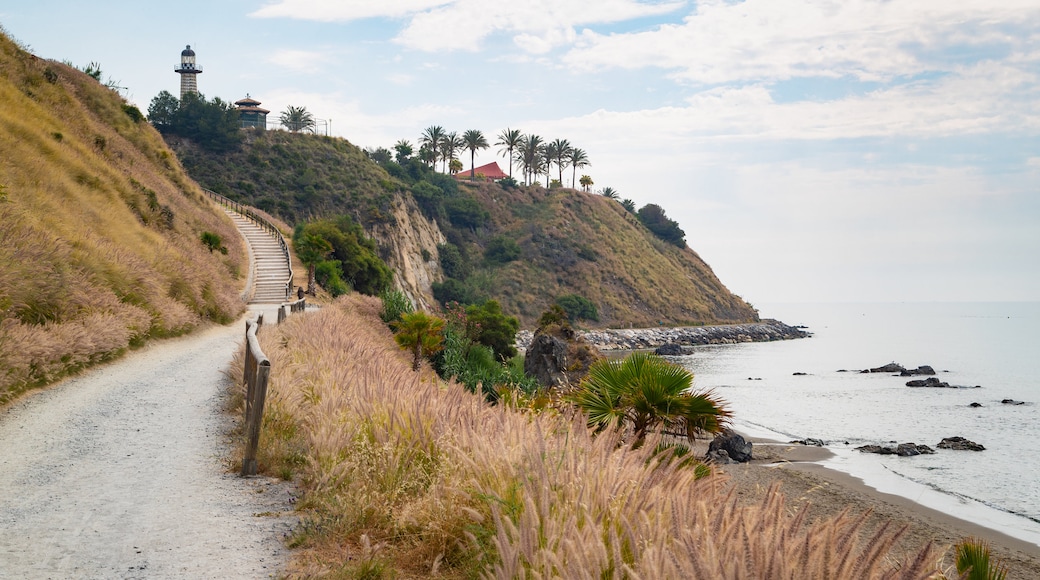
(813, 151)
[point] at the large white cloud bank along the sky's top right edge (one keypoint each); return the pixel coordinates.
(760, 41)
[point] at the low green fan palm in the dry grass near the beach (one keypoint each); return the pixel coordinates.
(647, 392)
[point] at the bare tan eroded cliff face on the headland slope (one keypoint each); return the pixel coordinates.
(409, 244)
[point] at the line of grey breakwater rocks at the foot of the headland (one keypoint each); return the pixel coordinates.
(641, 339)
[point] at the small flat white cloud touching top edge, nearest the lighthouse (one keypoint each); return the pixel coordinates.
(342, 11)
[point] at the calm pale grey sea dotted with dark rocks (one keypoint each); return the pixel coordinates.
(991, 352)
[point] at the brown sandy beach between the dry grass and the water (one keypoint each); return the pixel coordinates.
(824, 492)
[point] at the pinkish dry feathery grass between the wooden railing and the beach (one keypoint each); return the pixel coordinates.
(407, 477)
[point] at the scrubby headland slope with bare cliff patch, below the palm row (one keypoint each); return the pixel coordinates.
(569, 243)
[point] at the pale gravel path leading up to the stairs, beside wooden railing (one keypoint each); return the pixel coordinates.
(121, 473)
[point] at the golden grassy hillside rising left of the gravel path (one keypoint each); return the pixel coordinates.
(100, 229)
